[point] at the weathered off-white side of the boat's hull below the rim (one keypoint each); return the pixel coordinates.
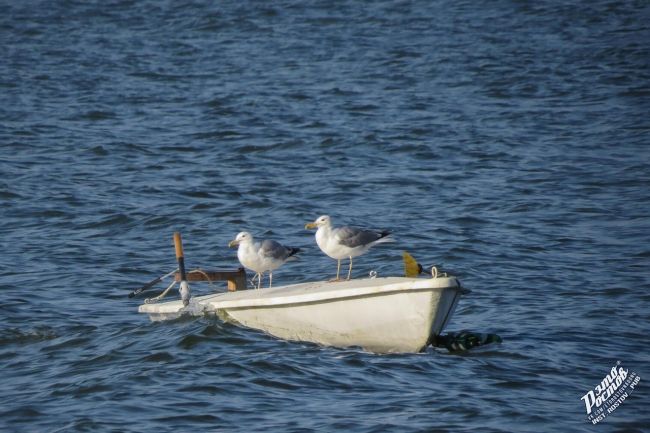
(395, 322)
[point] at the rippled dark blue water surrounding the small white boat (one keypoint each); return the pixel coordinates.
(506, 142)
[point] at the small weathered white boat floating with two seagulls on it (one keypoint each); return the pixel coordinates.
(381, 315)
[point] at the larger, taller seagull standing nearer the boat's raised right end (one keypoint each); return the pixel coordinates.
(342, 242)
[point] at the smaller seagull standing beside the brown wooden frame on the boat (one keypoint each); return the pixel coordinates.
(262, 256)
